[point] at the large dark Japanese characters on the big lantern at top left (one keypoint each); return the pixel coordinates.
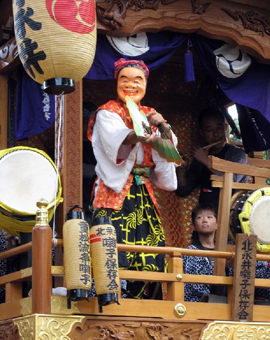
(27, 46)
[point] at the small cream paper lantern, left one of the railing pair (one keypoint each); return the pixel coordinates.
(76, 255)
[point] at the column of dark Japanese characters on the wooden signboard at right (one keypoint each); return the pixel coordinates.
(245, 275)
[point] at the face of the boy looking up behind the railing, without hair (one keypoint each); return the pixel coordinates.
(205, 222)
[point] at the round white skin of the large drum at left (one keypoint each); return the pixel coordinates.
(26, 176)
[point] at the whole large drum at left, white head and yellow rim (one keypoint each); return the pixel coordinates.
(26, 176)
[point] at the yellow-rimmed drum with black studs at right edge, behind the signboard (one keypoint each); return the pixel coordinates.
(255, 217)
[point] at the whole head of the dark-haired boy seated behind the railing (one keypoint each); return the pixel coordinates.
(204, 219)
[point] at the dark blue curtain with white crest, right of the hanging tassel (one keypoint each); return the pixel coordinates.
(246, 82)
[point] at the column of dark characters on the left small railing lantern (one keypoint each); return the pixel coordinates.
(84, 265)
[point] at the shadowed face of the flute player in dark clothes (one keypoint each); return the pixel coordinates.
(213, 130)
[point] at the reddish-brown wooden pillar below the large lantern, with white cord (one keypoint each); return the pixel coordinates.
(68, 150)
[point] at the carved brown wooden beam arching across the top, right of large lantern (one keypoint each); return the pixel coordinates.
(245, 25)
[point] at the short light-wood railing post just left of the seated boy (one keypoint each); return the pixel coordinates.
(175, 289)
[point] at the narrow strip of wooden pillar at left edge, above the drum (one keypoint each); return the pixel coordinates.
(3, 111)
